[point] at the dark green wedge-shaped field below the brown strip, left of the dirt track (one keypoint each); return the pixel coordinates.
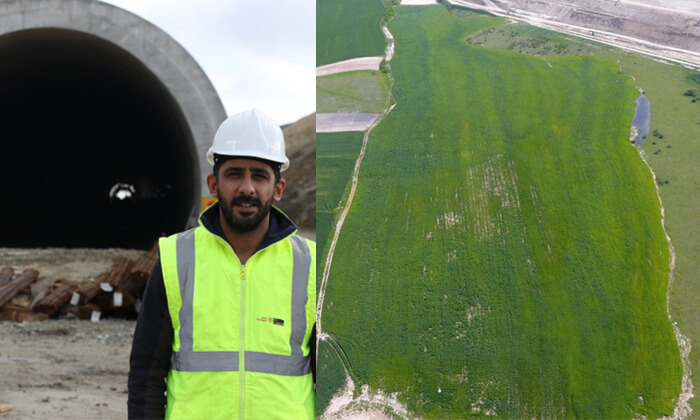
(336, 154)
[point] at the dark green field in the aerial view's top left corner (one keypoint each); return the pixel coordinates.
(348, 29)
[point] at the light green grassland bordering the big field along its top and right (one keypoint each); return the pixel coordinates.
(672, 154)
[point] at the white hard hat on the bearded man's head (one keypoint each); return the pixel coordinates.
(250, 133)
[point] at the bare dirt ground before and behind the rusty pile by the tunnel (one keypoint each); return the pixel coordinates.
(64, 368)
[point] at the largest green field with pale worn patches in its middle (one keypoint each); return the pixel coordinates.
(504, 253)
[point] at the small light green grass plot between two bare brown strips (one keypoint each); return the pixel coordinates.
(356, 91)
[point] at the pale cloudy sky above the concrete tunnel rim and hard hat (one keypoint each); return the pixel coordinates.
(257, 54)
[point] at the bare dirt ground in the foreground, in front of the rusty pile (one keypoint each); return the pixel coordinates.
(65, 369)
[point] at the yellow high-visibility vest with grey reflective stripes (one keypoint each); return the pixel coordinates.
(241, 332)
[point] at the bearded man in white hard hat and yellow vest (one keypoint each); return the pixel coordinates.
(229, 310)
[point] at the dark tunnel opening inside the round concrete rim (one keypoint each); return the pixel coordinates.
(95, 150)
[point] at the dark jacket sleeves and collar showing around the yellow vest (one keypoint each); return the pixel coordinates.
(152, 346)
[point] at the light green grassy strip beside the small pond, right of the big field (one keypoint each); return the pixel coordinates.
(678, 120)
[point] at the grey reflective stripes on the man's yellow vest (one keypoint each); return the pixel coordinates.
(187, 360)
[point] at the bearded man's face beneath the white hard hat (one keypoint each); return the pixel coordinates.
(246, 189)
